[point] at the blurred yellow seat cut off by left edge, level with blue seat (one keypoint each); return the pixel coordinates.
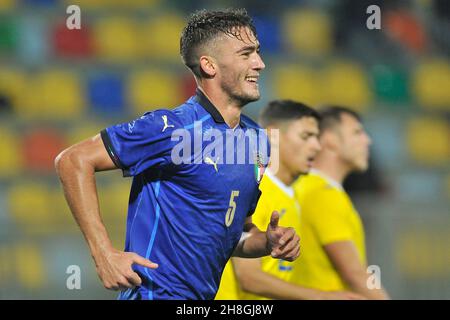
(12, 86)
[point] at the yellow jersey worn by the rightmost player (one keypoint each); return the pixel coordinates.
(328, 216)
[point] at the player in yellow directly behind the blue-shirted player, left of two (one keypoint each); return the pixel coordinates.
(298, 144)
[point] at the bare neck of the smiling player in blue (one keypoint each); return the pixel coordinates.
(230, 110)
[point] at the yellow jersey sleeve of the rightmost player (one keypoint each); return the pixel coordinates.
(328, 214)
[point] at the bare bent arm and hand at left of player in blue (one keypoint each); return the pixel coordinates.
(76, 167)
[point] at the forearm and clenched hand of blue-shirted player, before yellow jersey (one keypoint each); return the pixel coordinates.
(279, 242)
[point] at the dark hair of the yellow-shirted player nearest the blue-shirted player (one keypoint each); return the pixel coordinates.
(279, 111)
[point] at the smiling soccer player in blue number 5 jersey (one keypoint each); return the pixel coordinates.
(185, 218)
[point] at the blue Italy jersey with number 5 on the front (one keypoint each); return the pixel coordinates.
(191, 193)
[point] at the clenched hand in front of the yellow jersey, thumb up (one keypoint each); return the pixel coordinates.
(283, 243)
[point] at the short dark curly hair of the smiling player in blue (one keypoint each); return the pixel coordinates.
(204, 26)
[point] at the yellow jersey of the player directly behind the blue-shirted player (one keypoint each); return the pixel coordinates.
(276, 196)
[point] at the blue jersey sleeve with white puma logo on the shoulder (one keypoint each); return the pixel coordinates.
(142, 143)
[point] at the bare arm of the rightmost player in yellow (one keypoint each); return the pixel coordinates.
(344, 256)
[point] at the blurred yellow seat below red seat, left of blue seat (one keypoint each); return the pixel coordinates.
(53, 94)
